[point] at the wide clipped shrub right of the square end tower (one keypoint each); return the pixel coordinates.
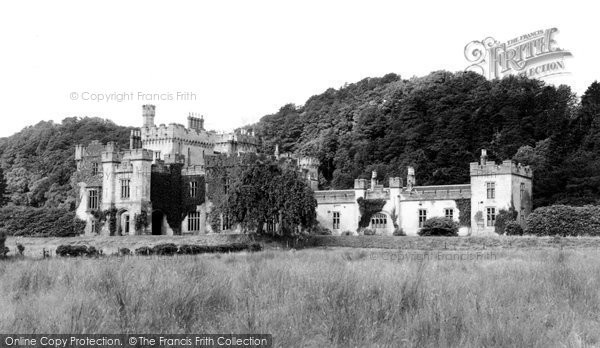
(564, 220)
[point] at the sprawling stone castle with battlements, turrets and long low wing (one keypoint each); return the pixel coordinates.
(158, 186)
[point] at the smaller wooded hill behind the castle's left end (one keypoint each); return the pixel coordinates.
(39, 160)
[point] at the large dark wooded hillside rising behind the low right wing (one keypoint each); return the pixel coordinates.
(439, 123)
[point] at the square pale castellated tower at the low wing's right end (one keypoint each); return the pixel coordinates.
(495, 187)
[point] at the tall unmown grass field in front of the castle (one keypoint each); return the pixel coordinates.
(339, 297)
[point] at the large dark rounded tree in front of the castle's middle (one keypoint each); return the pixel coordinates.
(266, 192)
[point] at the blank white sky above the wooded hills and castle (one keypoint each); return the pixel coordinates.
(236, 61)
